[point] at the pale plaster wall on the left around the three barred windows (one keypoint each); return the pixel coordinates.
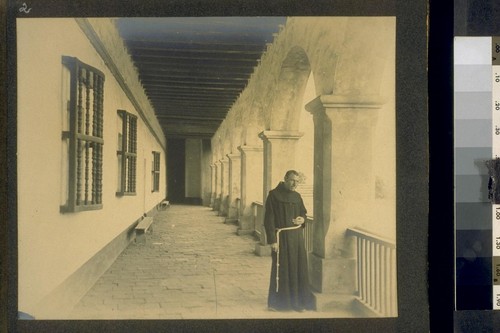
(53, 245)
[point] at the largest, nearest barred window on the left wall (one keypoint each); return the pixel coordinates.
(83, 137)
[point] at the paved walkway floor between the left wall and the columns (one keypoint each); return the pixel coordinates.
(192, 266)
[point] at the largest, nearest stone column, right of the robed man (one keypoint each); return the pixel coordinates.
(343, 185)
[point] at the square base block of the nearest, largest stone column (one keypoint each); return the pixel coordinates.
(335, 275)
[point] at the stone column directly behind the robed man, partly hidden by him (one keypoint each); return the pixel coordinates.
(279, 157)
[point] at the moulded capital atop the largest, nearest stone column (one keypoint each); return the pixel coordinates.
(324, 102)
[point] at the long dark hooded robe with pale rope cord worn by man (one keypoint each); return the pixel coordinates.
(283, 205)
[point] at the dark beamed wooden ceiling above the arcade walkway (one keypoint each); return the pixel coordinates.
(194, 68)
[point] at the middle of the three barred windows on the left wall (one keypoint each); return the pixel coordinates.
(127, 154)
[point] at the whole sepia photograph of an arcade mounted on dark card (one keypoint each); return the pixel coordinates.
(206, 167)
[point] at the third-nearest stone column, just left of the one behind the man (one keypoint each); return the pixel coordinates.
(251, 185)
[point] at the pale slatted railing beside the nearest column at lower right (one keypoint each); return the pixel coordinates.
(376, 272)
